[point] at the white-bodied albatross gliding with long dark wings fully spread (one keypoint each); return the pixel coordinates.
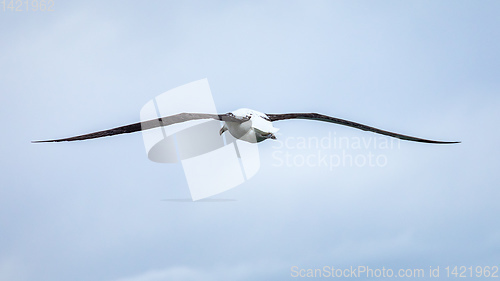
(243, 124)
